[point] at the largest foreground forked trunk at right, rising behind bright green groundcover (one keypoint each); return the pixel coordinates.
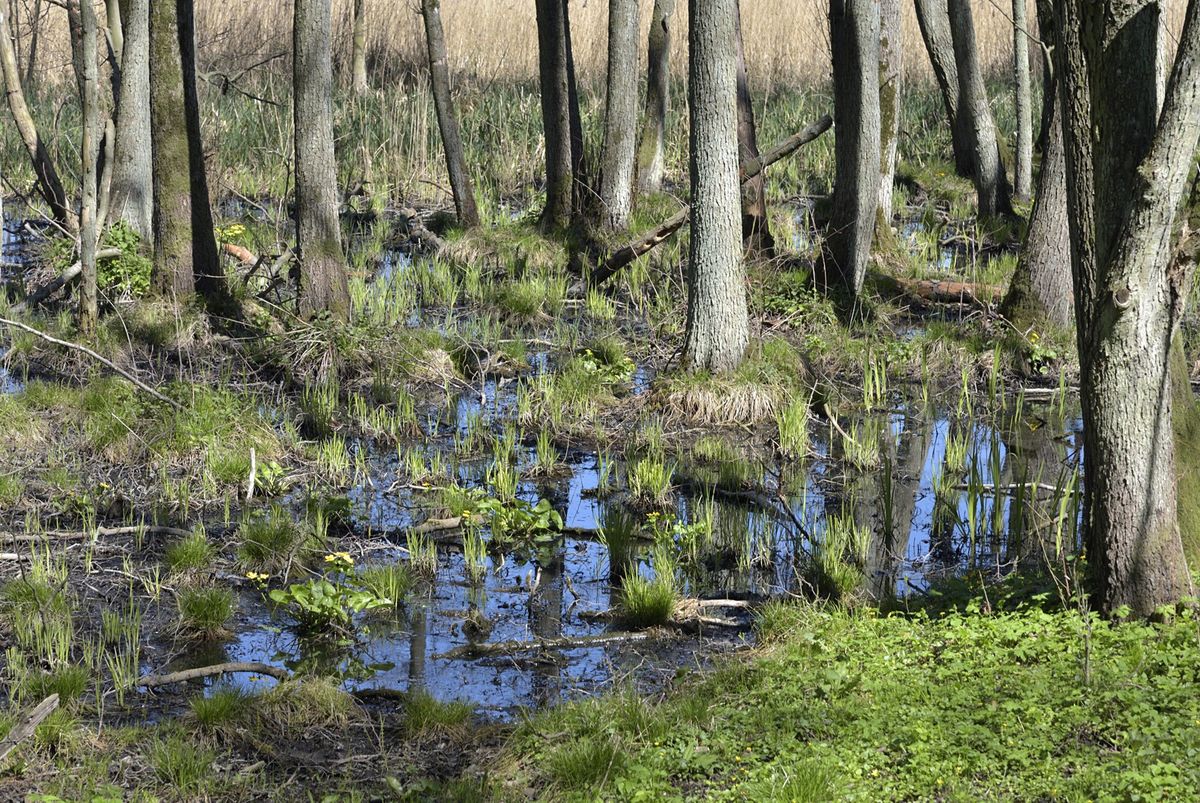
(1127, 167)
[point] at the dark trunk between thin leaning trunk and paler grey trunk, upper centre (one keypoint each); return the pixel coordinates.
(556, 118)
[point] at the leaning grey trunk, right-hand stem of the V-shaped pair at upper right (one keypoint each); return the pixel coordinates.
(975, 109)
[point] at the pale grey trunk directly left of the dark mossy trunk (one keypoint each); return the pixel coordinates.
(133, 189)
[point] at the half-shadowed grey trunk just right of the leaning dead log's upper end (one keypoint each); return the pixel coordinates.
(855, 39)
